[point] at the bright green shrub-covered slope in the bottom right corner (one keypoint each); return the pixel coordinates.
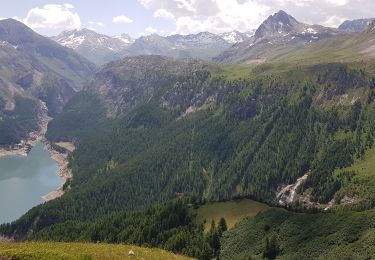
(340, 235)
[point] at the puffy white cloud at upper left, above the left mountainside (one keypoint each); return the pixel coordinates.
(53, 16)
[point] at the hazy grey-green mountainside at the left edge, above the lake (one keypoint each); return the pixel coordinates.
(34, 69)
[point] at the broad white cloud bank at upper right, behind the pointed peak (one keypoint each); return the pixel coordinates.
(192, 16)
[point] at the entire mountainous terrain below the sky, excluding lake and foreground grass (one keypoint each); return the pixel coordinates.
(173, 125)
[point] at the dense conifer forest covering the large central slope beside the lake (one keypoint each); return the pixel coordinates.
(244, 138)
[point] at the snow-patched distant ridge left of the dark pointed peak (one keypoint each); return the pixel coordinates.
(101, 49)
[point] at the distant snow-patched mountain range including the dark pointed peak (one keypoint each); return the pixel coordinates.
(280, 32)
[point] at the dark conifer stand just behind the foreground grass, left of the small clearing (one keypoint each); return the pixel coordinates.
(169, 225)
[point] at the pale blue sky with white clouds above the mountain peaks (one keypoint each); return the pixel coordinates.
(165, 17)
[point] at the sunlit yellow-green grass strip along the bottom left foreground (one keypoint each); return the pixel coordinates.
(47, 251)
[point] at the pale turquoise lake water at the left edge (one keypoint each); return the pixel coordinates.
(23, 180)
